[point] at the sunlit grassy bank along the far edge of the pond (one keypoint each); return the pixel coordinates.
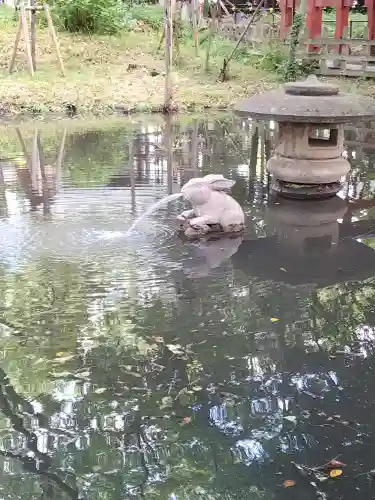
(106, 74)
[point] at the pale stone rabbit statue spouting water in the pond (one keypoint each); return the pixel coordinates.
(213, 209)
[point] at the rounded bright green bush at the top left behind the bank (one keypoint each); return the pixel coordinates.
(104, 17)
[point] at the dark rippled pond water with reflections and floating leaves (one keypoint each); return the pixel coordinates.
(146, 367)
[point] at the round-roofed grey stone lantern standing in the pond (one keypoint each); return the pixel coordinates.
(308, 160)
